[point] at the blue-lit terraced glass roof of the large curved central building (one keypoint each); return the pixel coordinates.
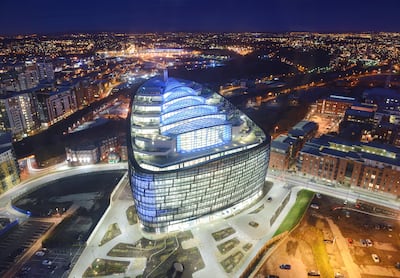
(165, 118)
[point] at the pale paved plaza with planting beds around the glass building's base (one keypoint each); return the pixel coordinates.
(226, 245)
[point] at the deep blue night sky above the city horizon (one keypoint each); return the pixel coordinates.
(63, 16)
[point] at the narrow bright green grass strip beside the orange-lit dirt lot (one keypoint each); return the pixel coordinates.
(296, 213)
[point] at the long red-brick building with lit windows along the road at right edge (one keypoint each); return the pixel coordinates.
(371, 166)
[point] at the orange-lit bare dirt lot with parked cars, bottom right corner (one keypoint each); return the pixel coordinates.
(329, 240)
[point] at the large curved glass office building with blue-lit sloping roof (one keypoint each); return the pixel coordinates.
(193, 156)
